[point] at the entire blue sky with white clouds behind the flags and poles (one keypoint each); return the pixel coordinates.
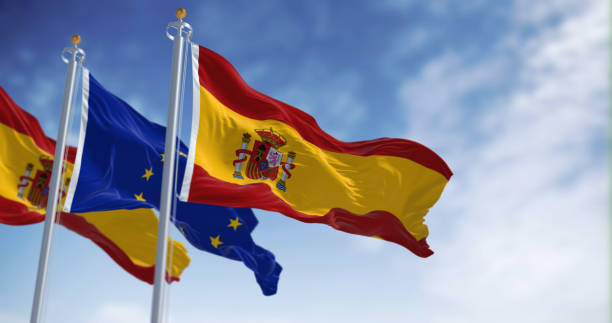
(513, 96)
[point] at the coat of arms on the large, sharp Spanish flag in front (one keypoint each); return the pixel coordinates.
(265, 158)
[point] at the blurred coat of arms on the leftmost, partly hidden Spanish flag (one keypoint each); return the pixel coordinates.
(39, 188)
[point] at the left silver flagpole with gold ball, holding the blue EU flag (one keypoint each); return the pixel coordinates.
(77, 56)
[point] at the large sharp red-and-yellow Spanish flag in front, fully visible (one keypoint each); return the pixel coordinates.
(251, 150)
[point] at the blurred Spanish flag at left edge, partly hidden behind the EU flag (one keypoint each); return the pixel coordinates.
(129, 237)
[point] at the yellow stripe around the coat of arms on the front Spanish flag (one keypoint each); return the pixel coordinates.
(321, 179)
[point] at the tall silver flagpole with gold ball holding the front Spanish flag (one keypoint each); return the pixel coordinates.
(167, 191)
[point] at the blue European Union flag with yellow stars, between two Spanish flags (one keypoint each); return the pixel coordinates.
(120, 165)
